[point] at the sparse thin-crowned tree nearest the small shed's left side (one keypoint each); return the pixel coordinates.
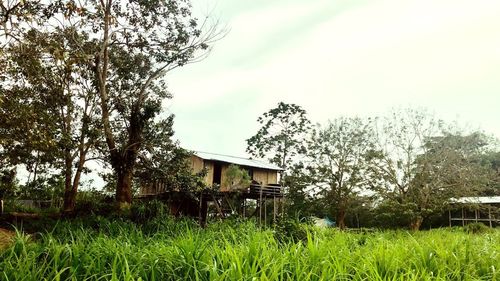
(401, 137)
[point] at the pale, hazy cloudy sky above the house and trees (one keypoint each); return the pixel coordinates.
(338, 58)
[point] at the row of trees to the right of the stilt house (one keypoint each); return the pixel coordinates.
(408, 164)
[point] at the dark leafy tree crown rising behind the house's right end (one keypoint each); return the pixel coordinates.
(282, 135)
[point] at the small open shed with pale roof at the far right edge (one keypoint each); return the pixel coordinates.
(485, 209)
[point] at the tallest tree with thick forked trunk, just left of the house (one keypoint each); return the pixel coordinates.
(140, 41)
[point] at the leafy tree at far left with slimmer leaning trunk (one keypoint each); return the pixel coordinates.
(49, 108)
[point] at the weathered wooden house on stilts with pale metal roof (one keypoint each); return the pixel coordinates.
(261, 198)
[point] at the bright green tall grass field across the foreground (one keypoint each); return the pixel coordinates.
(165, 249)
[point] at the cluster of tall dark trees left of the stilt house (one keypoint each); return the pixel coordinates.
(83, 81)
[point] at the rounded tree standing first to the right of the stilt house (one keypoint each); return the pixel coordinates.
(341, 155)
